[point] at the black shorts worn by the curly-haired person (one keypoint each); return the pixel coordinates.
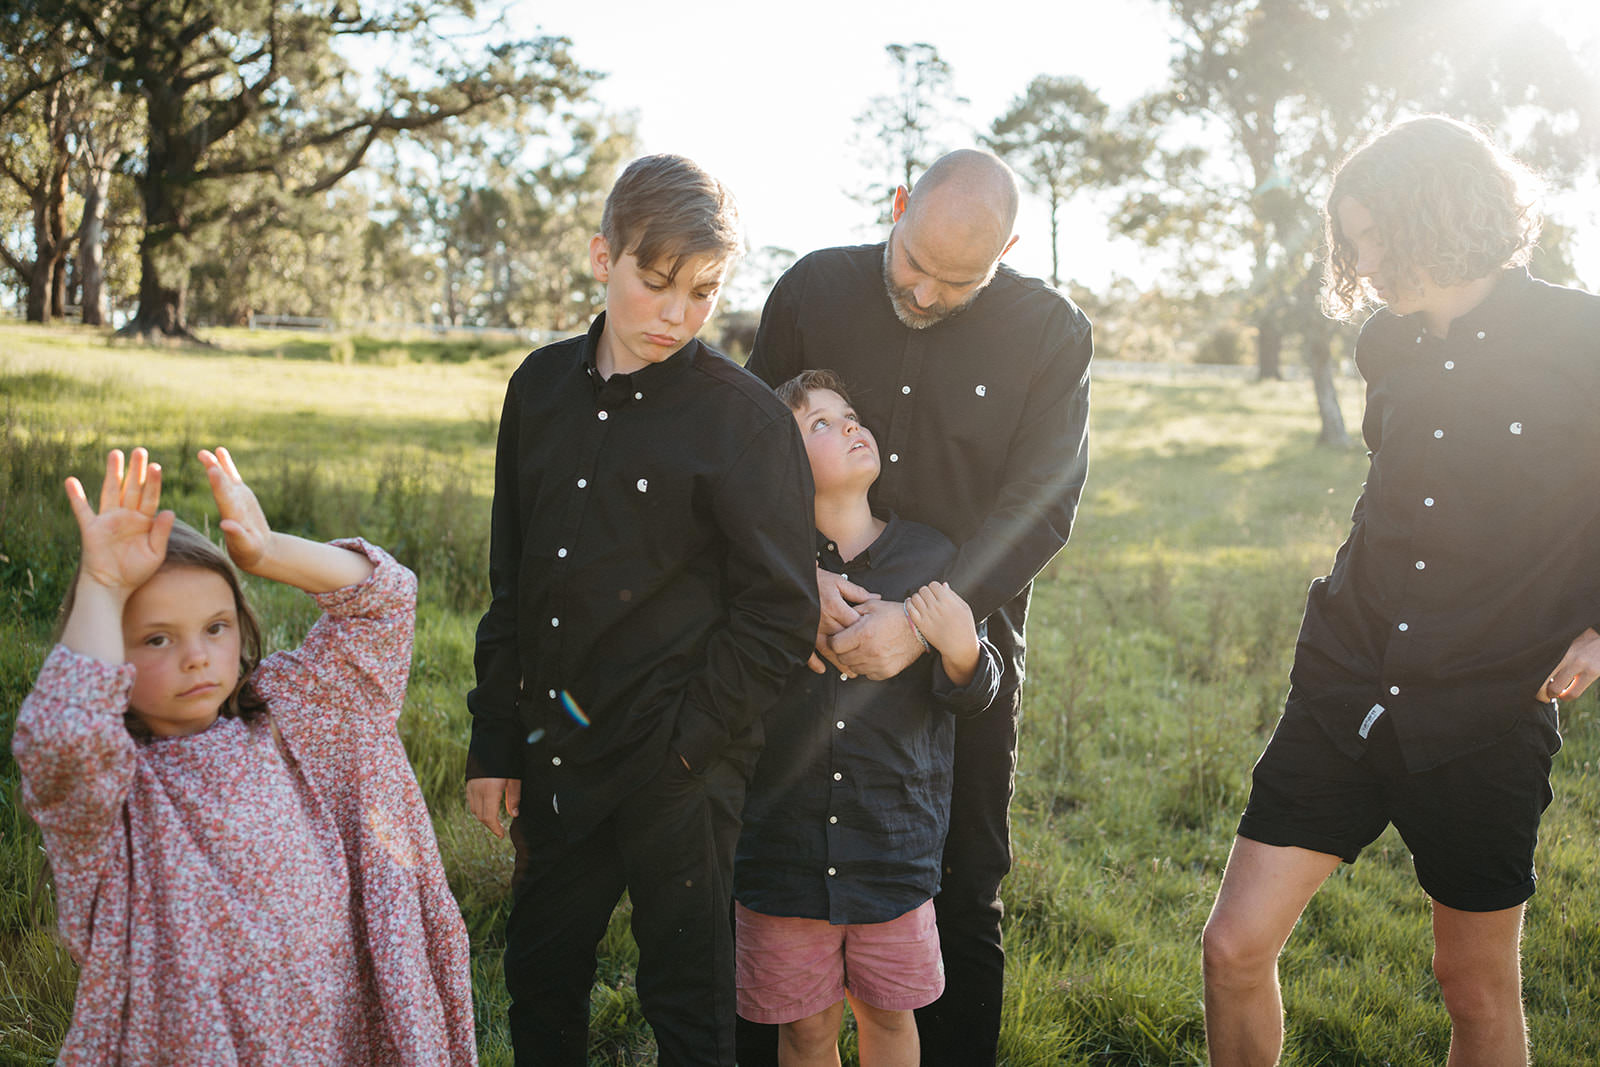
(1471, 825)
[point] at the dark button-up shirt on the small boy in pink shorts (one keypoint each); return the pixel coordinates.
(847, 815)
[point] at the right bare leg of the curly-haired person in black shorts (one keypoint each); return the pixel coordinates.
(1479, 970)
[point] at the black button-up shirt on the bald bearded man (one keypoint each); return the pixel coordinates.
(982, 420)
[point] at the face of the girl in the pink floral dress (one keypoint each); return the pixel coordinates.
(180, 631)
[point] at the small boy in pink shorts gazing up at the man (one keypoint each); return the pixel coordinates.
(839, 860)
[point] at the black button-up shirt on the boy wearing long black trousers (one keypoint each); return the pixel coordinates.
(654, 573)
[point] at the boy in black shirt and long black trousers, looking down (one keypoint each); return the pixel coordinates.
(654, 588)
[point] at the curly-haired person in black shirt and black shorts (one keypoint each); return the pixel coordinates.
(1460, 609)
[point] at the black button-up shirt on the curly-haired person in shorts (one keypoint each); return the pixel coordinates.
(1474, 559)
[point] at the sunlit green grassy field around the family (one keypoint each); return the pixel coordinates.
(1159, 652)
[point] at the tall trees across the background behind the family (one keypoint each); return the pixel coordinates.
(410, 162)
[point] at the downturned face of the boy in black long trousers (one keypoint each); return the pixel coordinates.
(650, 314)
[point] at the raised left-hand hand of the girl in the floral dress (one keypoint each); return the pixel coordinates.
(126, 543)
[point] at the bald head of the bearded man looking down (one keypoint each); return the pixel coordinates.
(950, 234)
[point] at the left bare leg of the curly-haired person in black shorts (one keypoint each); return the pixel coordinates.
(1265, 890)
